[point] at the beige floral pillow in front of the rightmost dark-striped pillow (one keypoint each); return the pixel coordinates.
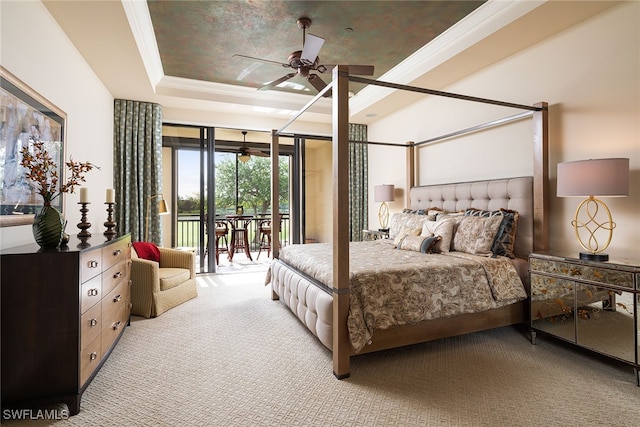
(475, 235)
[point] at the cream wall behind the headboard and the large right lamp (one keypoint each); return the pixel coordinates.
(589, 75)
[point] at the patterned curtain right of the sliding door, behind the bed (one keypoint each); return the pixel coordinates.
(358, 181)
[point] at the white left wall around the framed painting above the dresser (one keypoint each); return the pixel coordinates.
(37, 51)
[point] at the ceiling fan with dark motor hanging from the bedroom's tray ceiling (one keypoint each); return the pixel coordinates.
(306, 60)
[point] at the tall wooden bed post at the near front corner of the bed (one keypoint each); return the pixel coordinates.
(341, 343)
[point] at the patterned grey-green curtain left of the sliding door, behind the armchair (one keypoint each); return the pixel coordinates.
(137, 142)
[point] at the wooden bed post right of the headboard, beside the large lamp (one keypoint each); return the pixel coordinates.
(541, 177)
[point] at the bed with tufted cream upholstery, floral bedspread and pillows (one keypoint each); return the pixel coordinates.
(400, 287)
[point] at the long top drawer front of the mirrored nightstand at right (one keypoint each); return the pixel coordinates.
(595, 274)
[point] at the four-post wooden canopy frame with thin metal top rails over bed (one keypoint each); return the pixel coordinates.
(339, 86)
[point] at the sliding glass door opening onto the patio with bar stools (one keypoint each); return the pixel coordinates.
(230, 168)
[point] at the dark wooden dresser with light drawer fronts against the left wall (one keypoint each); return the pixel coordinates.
(63, 312)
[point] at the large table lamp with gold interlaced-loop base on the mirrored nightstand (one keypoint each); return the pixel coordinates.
(591, 178)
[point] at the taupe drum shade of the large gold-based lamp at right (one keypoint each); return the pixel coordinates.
(598, 177)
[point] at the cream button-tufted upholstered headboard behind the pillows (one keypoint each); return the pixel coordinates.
(508, 193)
